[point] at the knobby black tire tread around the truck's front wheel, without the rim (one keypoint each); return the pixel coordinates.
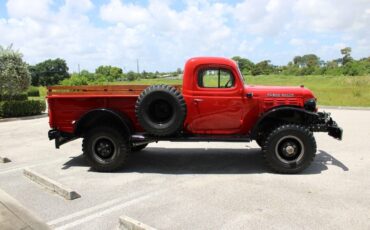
(307, 159)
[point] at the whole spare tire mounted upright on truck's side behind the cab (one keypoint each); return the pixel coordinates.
(161, 110)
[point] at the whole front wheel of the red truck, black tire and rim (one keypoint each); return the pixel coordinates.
(289, 148)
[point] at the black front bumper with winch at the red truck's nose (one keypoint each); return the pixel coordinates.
(326, 124)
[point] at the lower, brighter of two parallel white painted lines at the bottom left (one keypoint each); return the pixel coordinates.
(107, 211)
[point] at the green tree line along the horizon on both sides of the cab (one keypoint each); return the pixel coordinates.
(56, 71)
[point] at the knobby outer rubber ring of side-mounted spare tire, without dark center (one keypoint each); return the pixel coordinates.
(172, 92)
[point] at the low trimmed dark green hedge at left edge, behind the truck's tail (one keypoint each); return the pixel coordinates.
(21, 108)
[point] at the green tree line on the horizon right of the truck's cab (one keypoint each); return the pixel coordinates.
(308, 64)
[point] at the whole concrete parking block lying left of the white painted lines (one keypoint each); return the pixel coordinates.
(51, 185)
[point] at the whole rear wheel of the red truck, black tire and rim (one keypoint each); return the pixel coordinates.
(105, 148)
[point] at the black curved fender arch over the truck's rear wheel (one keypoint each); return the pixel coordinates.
(103, 116)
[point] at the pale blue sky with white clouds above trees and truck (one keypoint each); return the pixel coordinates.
(163, 34)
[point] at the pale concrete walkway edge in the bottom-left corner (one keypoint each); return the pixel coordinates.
(17, 215)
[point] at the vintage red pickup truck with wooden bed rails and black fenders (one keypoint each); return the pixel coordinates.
(213, 104)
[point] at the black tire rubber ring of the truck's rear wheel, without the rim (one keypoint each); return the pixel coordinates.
(123, 148)
